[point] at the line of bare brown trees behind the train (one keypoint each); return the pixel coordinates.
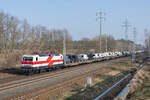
(20, 35)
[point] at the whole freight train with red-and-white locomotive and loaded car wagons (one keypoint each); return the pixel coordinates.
(36, 63)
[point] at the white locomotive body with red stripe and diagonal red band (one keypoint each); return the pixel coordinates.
(33, 62)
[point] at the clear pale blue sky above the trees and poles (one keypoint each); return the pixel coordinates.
(79, 16)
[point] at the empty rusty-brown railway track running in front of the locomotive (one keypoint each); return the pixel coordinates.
(28, 81)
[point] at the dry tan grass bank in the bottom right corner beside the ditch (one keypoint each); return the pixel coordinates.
(140, 89)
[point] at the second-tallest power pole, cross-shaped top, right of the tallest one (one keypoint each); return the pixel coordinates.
(126, 25)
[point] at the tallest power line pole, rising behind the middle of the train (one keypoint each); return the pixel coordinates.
(100, 17)
